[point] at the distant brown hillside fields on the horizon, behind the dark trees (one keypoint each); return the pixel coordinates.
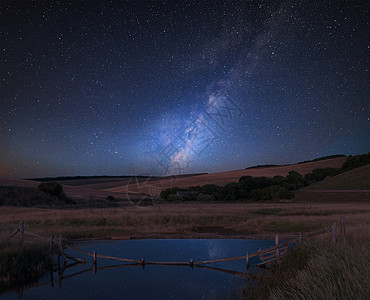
(134, 188)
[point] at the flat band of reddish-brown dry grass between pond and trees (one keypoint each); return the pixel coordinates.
(184, 220)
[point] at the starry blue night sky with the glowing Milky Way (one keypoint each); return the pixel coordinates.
(170, 87)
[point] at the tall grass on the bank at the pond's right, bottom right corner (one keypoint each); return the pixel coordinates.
(317, 272)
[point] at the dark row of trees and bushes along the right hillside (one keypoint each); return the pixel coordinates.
(260, 188)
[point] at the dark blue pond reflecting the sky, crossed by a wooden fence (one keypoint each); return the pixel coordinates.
(150, 281)
